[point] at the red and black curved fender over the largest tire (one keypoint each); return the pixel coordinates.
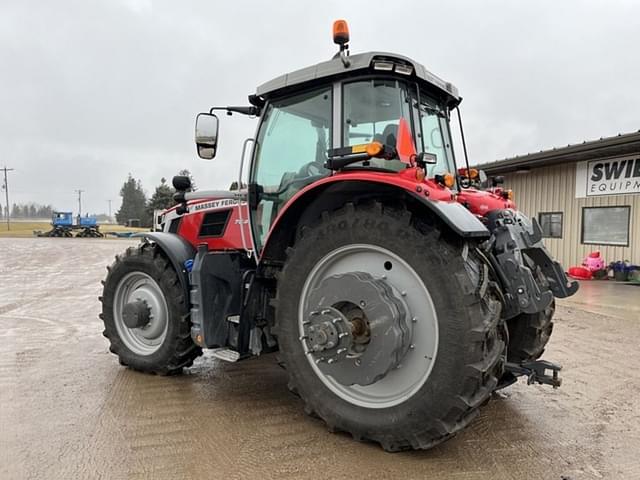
(332, 193)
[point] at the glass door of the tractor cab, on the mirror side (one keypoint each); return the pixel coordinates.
(290, 153)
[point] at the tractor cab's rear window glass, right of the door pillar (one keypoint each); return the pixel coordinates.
(372, 111)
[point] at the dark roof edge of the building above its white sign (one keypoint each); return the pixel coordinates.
(621, 144)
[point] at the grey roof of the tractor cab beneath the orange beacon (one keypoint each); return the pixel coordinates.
(358, 64)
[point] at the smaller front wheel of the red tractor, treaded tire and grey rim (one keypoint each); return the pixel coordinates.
(172, 348)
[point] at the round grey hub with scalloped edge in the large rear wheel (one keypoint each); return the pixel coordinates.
(356, 328)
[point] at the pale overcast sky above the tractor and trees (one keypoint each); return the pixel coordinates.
(90, 90)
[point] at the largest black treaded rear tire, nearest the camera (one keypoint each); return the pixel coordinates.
(470, 350)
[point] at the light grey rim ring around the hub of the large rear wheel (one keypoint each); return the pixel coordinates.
(399, 384)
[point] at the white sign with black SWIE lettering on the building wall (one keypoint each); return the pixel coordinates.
(616, 176)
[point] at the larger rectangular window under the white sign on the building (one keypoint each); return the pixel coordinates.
(606, 225)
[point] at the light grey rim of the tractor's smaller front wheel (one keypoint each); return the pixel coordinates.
(138, 286)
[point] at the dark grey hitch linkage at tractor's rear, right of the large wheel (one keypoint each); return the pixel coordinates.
(515, 236)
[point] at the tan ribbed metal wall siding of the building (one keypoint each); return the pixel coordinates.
(552, 189)
